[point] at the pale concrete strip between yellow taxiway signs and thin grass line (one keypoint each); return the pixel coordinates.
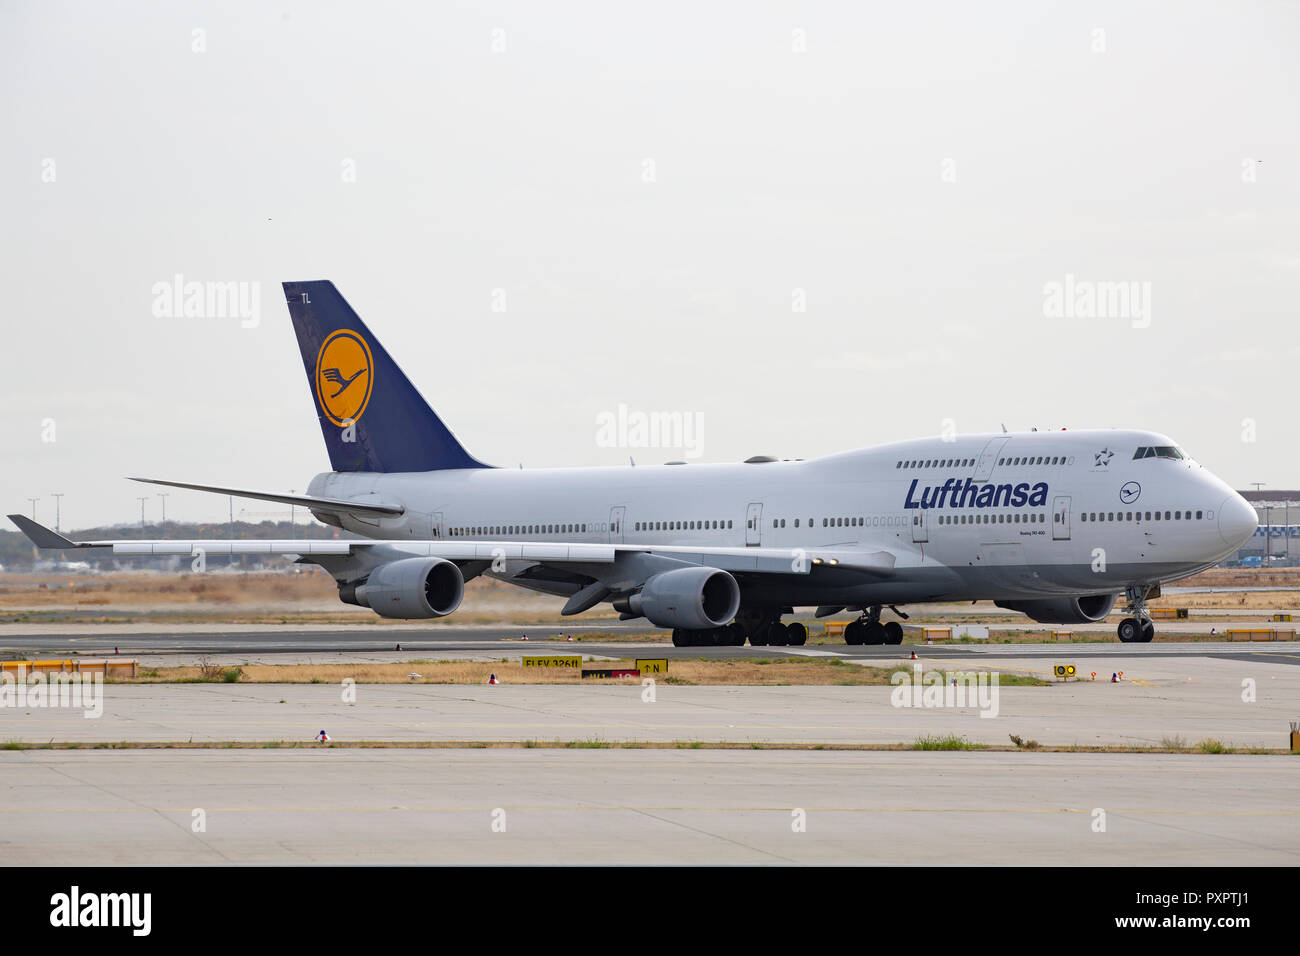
(1159, 699)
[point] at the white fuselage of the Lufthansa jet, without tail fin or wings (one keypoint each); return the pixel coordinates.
(982, 516)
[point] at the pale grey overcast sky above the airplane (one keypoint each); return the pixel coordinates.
(653, 193)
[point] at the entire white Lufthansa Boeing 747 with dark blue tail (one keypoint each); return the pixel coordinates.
(1052, 525)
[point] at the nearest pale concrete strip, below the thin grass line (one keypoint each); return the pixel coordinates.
(647, 807)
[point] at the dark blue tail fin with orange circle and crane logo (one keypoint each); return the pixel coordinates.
(371, 416)
